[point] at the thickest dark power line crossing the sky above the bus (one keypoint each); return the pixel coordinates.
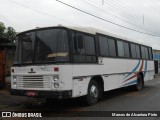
(104, 19)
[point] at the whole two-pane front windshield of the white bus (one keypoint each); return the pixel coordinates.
(42, 46)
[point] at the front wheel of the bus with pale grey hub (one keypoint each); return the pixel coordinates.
(93, 93)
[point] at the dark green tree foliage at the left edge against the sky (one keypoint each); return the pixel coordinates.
(8, 33)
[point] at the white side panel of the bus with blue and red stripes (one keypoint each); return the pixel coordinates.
(115, 72)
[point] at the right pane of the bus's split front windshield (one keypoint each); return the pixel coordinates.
(52, 45)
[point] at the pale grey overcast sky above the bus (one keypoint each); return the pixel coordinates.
(139, 15)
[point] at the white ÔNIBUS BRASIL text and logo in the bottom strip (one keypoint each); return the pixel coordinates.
(21, 114)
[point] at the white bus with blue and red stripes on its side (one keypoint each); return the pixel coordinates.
(64, 62)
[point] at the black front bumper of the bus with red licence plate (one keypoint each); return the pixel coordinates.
(42, 94)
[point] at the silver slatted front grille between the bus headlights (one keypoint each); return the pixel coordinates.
(33, 82)
